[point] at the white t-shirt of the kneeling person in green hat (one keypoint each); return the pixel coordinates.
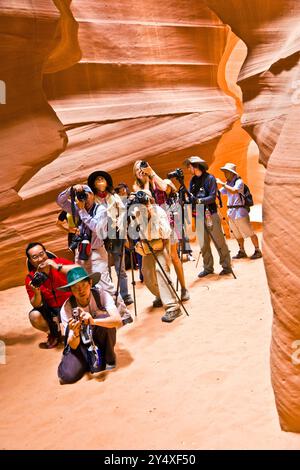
(105, 299)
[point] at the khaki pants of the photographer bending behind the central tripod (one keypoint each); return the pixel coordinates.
(155, 279)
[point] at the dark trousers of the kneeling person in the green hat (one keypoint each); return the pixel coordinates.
(74, 363)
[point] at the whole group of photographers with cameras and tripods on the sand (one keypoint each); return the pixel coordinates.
(82, 295)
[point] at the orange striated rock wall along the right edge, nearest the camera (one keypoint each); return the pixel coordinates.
(270, 83)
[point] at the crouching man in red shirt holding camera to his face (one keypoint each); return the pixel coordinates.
(46, 274)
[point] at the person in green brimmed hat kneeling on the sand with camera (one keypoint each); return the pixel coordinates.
(90, 319)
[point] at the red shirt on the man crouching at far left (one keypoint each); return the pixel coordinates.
(51, 296)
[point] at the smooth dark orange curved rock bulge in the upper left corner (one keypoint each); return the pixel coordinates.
(31, 134)
